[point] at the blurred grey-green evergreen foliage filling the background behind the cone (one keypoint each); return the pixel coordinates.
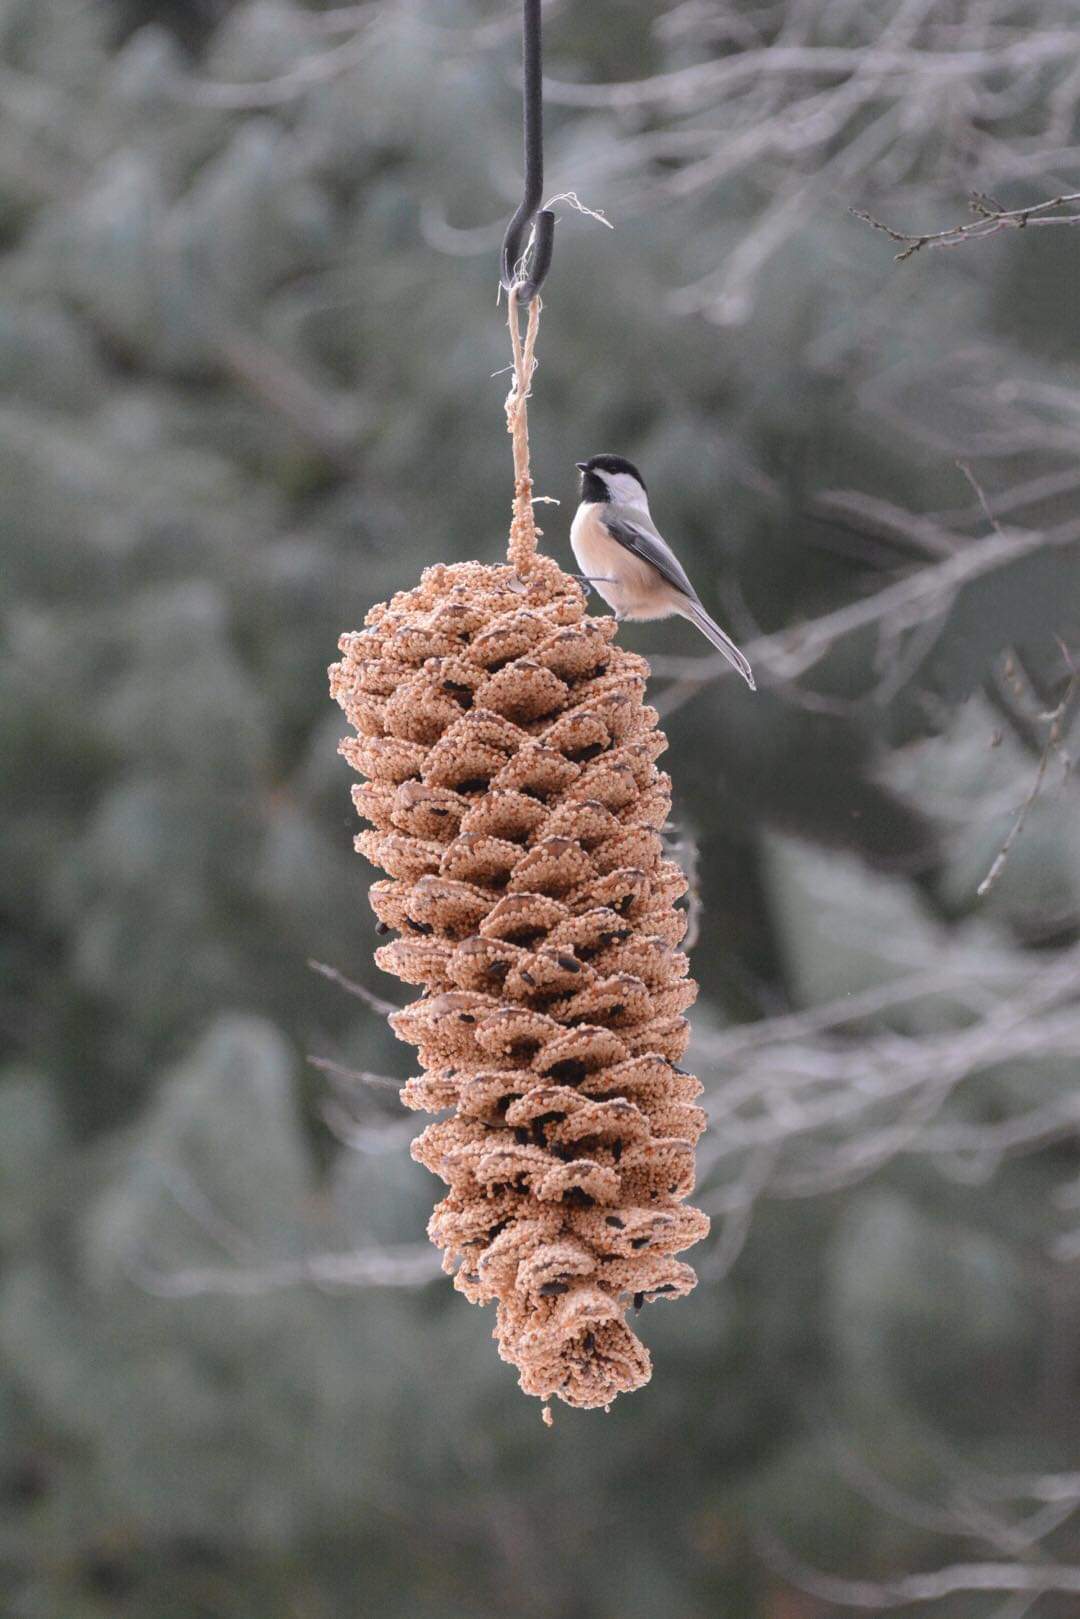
(247, 393)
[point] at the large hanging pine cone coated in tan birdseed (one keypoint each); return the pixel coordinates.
(517, 809)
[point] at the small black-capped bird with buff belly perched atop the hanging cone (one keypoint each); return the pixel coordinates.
(621, 551)
